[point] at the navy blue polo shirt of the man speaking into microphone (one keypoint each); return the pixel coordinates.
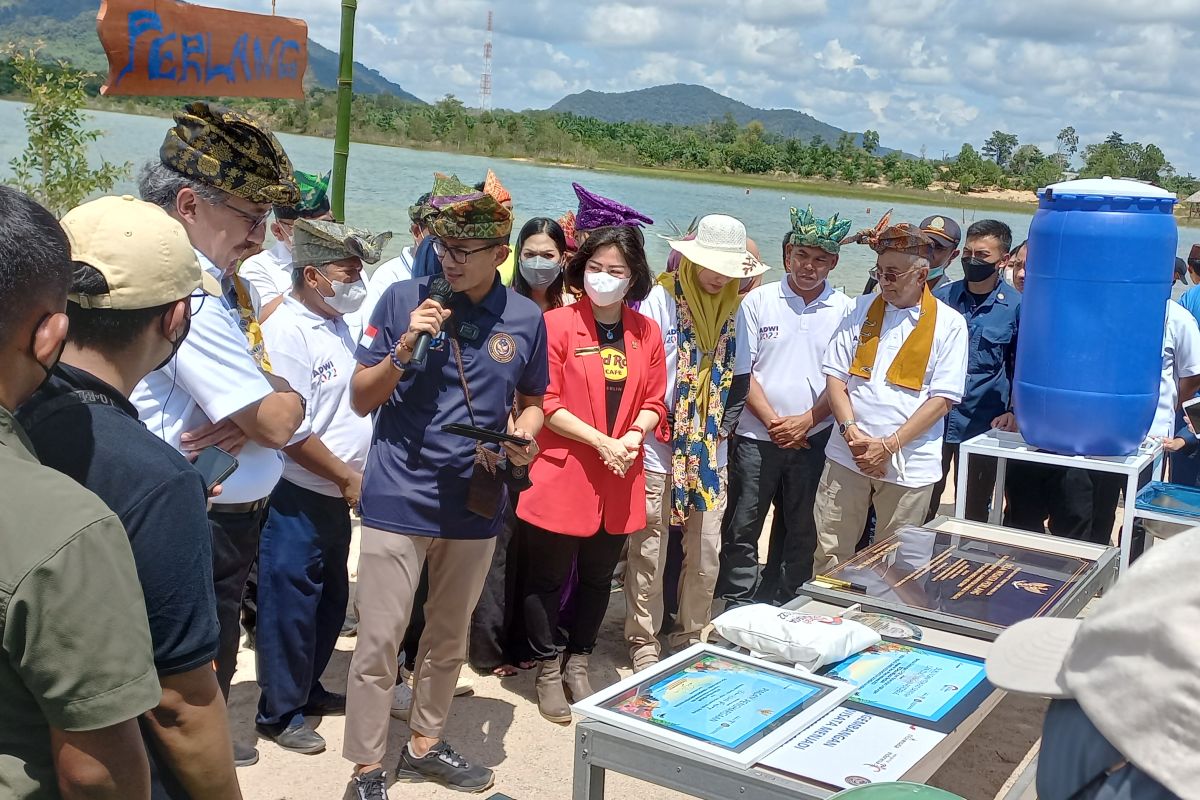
(417, 477)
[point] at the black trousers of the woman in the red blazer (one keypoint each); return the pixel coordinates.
(549, 567)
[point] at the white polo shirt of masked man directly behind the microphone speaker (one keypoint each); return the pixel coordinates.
(316, 356)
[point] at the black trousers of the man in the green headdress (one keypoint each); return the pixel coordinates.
(761, 473)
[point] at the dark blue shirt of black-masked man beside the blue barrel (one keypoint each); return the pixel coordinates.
(992, 357)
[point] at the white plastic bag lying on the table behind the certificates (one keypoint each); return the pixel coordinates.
(809, 641)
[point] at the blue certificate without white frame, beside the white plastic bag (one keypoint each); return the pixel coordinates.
(915, 684)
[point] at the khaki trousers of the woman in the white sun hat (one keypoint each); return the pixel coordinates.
(647, 563)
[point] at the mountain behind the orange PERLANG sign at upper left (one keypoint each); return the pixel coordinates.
(68, 28)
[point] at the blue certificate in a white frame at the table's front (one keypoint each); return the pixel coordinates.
(718, 703)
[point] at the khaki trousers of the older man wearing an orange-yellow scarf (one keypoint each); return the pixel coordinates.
(844, 498)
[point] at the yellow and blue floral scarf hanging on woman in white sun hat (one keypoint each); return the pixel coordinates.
(705, 374)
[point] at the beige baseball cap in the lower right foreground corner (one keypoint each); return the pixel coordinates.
(1133, 665)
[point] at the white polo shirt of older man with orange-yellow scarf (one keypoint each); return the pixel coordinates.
(880, 408)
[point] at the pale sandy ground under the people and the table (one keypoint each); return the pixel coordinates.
(500, 727)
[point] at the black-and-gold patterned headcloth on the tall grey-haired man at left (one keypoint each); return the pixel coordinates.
(230, 151)
